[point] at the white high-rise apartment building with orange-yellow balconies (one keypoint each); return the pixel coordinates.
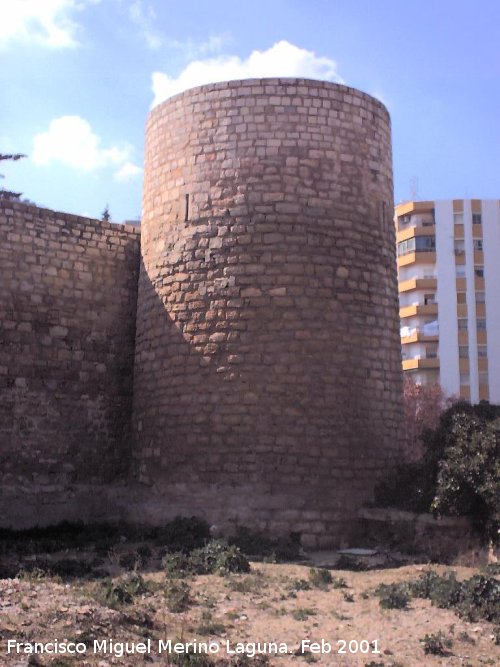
(449, 294)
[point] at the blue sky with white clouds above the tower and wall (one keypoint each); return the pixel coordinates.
(79, 77)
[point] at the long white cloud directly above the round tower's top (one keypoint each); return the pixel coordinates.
(281, 60)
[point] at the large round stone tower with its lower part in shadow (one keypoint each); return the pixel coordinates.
(268, 367)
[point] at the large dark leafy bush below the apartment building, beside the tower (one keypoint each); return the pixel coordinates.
(459, 473)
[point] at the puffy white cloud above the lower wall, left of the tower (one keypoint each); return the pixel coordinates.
(71, 141)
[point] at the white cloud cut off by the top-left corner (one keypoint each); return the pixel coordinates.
(44, 22)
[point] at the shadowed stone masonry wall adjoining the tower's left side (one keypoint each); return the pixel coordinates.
(68, 288)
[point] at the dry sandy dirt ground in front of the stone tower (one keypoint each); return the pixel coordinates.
(269, 604)
